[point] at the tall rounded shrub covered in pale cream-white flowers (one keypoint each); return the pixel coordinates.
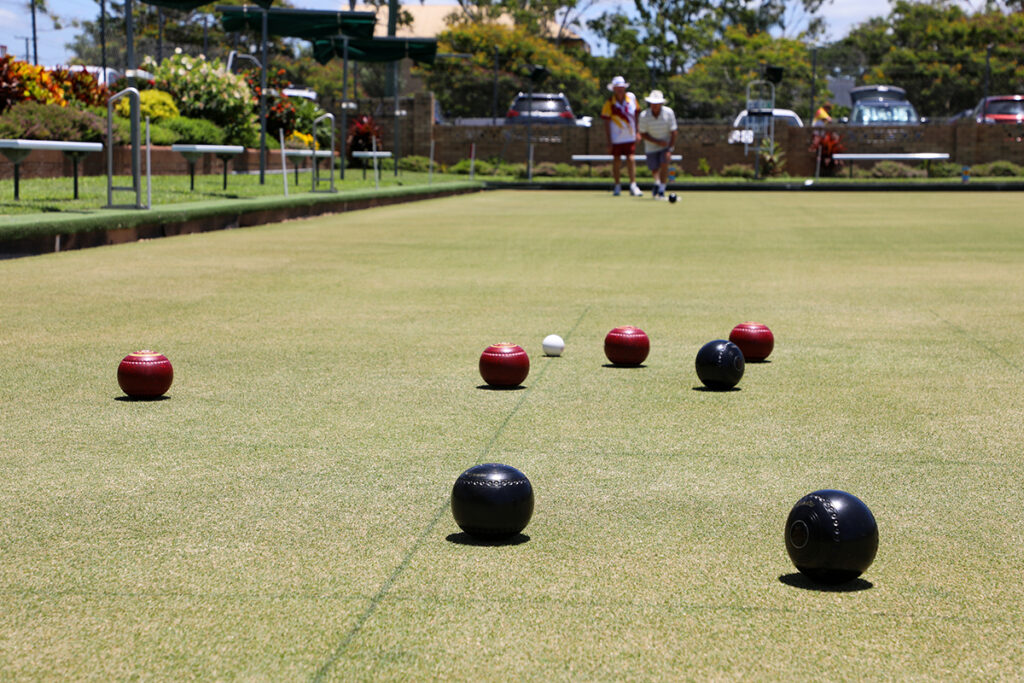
(205, 91)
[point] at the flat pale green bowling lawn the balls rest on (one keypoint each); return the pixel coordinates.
(284, 515)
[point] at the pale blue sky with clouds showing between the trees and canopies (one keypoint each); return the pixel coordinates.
(16, 21)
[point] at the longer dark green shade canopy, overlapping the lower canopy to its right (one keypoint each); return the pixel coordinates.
(309, 24)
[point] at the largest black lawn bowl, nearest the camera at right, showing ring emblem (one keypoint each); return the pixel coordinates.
(832, 537)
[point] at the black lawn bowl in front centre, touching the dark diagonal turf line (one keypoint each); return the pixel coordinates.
(493, 502)
